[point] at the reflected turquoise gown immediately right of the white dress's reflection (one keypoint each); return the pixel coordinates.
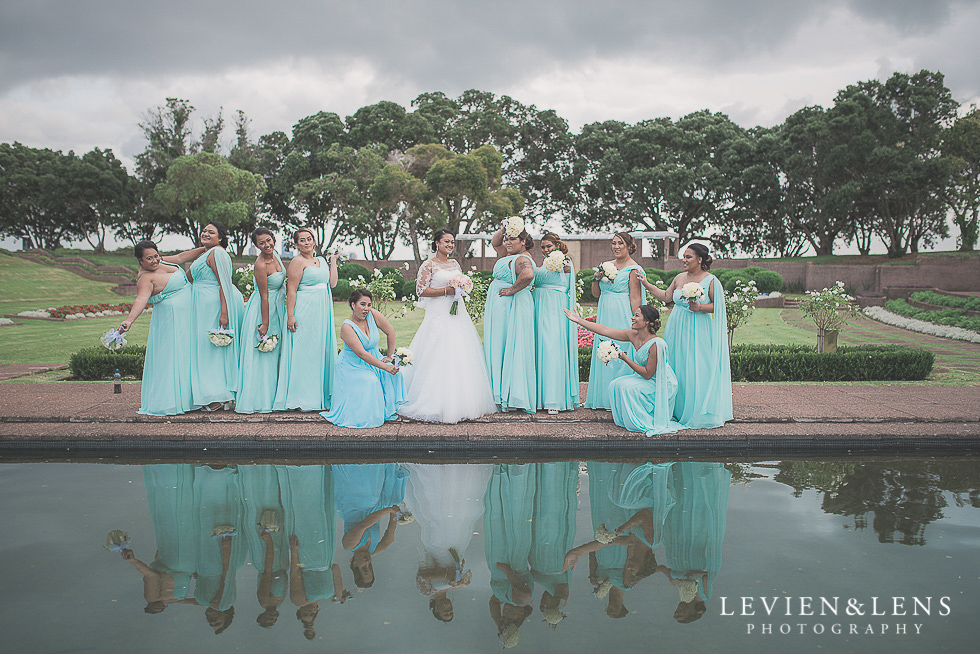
(508, 526)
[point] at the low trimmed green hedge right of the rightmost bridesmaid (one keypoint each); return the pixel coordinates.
(779, 363)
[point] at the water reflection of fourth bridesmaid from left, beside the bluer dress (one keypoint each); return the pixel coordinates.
(307, 495)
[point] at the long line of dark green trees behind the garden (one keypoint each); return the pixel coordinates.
(889, 160)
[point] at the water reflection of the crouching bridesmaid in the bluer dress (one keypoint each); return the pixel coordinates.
(365, 495)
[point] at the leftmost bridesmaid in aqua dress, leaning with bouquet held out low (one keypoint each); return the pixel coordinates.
(166, 388)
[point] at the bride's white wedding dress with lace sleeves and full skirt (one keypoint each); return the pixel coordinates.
(448, 381)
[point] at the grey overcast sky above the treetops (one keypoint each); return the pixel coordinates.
(78, 74)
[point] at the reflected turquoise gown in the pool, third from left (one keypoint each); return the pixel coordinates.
(261, 497)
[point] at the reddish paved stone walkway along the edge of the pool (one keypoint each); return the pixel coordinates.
(73, 416)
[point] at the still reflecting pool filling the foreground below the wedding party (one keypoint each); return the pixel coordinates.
(571, 556)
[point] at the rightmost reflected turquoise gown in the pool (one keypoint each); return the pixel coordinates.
(695, 526)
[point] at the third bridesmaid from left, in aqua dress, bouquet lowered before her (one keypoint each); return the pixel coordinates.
(264, 316)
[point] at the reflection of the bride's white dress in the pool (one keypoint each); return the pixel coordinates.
(447, 501)
